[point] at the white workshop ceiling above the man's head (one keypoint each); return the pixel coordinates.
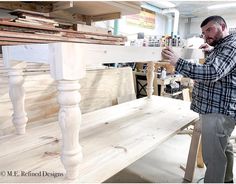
(199, 8)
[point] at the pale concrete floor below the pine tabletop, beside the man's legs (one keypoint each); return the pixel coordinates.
(161, 165)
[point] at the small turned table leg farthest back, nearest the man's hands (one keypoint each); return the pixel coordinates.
(150, 78)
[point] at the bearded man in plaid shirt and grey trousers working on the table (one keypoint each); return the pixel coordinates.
(214, 96)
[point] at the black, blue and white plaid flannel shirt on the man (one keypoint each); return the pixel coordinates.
(215, 80)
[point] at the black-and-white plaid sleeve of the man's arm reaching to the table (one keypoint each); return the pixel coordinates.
(218, 64)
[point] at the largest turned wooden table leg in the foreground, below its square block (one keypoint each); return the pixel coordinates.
(69, 120)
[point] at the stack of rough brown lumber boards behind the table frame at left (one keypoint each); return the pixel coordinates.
(36, 28)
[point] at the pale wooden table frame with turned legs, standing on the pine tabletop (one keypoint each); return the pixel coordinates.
(67, 64)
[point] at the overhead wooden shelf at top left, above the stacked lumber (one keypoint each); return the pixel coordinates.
(73, 11)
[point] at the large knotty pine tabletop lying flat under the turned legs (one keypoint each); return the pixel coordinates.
(111, 139)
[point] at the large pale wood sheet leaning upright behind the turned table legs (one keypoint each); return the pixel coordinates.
(99, 89)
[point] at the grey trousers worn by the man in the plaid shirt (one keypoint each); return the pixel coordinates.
(217, 150)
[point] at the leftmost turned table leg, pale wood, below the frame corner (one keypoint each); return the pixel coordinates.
(17, 96)
